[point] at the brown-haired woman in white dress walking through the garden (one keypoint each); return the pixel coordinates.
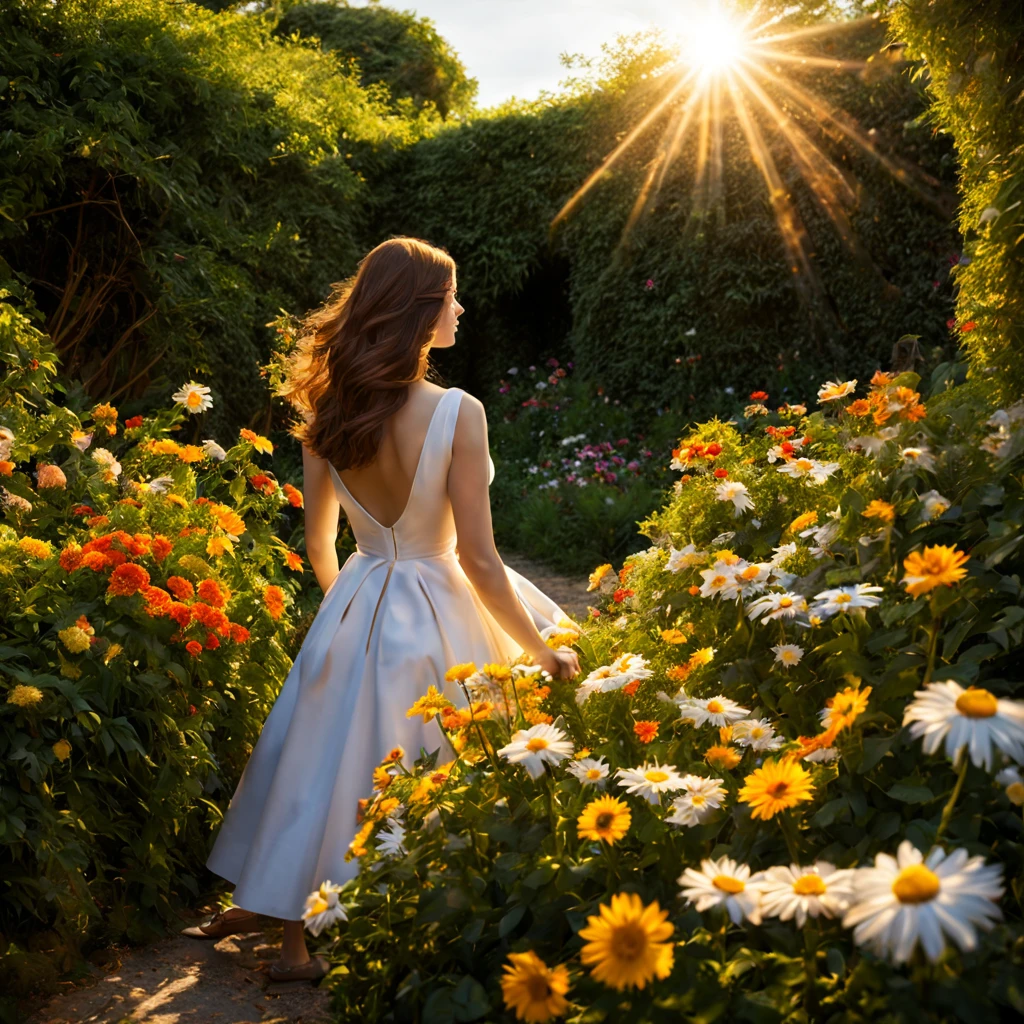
(408, 463)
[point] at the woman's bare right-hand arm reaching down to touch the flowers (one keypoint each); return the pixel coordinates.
(468, 489)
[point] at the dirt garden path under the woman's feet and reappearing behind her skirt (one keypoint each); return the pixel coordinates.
(178, 980)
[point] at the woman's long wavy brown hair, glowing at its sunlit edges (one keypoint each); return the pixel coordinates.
(359, 354)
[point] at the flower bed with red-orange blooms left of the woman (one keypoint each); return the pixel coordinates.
(145, 609)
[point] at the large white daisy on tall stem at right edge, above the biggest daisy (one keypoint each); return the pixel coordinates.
(973, 718)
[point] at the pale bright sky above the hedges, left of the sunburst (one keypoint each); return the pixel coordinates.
(511, 48)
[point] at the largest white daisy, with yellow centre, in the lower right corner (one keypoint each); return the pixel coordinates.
(906, 900)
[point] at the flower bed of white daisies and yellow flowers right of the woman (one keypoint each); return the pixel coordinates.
(789, 786)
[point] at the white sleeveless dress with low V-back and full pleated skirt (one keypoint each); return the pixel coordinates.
(398, 616)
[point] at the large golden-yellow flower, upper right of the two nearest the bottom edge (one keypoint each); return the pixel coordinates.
(627, 943)
